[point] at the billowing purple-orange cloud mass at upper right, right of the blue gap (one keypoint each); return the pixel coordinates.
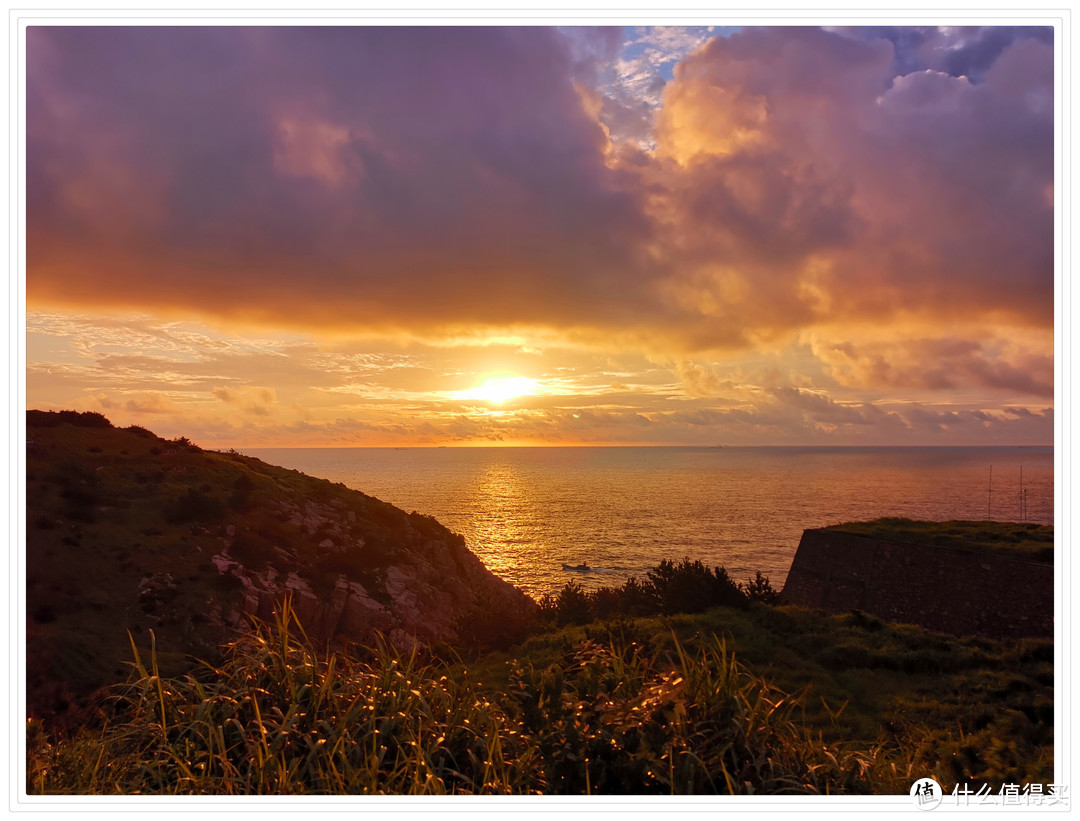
(805, 183)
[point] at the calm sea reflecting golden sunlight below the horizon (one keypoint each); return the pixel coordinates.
(529, 512)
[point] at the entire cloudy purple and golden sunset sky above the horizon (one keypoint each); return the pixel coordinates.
(404, 237)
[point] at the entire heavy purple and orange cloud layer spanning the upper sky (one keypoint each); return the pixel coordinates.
(456, 183)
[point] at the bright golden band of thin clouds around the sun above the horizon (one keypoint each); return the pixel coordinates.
(350, 395)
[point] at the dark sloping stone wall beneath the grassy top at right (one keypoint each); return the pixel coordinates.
(953, 591)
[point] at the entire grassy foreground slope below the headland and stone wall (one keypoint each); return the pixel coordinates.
(747, 702)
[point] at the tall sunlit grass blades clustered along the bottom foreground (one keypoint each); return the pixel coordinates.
(611, 716)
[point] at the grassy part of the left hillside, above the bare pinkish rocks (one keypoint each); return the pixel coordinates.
(123, 528)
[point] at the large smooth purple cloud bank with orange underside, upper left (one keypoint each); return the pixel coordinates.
(350, 178)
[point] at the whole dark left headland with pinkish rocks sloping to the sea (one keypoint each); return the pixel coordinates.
(131, 533)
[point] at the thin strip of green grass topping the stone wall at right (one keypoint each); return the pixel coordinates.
(1029, 543)
